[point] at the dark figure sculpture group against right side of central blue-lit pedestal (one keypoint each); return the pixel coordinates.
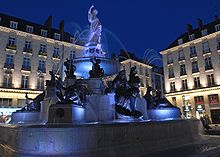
(126, 93)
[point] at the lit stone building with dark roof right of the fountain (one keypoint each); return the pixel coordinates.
(192, 71)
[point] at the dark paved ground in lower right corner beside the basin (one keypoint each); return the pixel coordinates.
(210, 147)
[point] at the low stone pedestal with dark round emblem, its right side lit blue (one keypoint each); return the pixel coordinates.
(66, 113)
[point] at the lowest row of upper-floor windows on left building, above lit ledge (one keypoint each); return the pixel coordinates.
(7, 81)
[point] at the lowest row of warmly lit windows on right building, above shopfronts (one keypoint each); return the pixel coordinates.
(210, 81)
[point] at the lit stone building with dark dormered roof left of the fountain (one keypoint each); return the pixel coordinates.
(28, 52)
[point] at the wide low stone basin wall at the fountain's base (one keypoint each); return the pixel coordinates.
(113, 139)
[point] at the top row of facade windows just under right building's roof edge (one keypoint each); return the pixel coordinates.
(193, 52)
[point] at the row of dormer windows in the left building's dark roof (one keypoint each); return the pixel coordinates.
(30, 29)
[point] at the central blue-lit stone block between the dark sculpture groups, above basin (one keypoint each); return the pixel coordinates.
(100, 108)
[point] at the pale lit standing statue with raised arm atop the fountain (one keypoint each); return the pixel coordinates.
(95, 27)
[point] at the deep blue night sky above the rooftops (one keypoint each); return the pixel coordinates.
(133, 25)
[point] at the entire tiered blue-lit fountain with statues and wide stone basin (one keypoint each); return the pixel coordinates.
(90, 117)
